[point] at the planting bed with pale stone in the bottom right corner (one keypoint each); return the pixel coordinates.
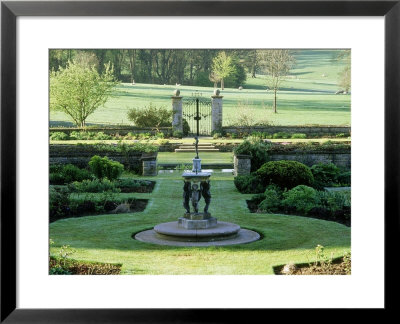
(338, 267)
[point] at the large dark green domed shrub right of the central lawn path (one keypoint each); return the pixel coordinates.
(285, 174)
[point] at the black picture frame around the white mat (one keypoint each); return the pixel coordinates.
(10, 10)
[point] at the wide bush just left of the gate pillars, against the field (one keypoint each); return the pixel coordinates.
(151, 116)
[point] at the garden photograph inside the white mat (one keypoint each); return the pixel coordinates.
(199, 161)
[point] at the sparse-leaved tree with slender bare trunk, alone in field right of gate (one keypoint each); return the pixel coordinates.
(277, 64)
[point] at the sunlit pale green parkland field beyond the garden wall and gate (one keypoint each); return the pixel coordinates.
(307, 97)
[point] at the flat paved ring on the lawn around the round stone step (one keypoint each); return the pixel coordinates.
(241, 237)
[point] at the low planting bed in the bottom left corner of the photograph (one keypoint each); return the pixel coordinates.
(82, 268)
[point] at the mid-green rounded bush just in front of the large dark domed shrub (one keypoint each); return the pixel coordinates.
(300, 199)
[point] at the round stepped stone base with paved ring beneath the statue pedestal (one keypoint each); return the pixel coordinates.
(222, 234)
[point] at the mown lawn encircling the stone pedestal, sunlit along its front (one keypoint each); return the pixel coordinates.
(108, 238)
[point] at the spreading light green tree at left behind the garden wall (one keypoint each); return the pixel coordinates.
(78, 90)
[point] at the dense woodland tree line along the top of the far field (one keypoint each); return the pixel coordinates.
(164, 66)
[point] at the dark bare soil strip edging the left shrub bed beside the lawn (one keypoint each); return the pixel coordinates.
(88, 208)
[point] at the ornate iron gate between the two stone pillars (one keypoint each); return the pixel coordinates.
(197, 113)
